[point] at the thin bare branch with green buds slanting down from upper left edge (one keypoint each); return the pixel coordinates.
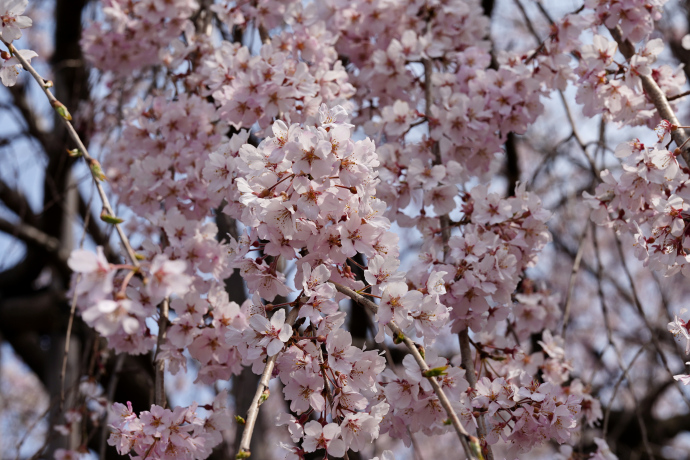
(108, 214)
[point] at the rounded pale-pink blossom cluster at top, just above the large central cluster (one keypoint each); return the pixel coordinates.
(278, 82)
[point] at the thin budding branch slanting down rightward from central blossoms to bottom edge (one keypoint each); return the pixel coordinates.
(465, 438)
